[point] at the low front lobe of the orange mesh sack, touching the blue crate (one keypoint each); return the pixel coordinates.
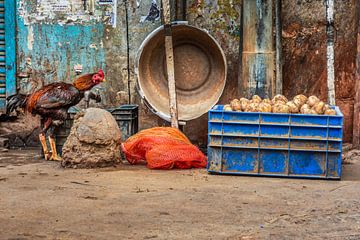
(181, 156)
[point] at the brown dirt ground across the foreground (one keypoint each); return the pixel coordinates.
(41, 200)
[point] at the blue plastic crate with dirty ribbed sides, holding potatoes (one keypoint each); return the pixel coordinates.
(271, 144)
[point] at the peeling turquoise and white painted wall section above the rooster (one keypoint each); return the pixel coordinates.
(51, 43)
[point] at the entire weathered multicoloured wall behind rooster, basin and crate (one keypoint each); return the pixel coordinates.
(50, 43)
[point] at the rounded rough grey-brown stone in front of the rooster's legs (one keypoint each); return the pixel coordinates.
(94, 141)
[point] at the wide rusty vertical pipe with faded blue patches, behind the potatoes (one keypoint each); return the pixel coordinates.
(258, 55)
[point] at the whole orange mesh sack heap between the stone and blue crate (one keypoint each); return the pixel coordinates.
(163, 148)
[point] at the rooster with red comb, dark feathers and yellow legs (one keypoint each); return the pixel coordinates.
(52, 102)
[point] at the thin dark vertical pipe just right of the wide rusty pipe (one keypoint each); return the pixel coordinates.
(278, 31)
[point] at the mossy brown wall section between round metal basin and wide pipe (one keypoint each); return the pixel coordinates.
(222, 20)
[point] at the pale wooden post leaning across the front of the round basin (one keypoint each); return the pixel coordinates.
(170, 64)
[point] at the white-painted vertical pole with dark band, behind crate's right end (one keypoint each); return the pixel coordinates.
(330, 51)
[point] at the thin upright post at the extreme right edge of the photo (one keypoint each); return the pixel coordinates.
(356, 125)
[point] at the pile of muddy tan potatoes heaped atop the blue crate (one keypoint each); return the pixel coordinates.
(280, 104)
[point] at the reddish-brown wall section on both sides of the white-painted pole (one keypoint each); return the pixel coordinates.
(304, 52)
